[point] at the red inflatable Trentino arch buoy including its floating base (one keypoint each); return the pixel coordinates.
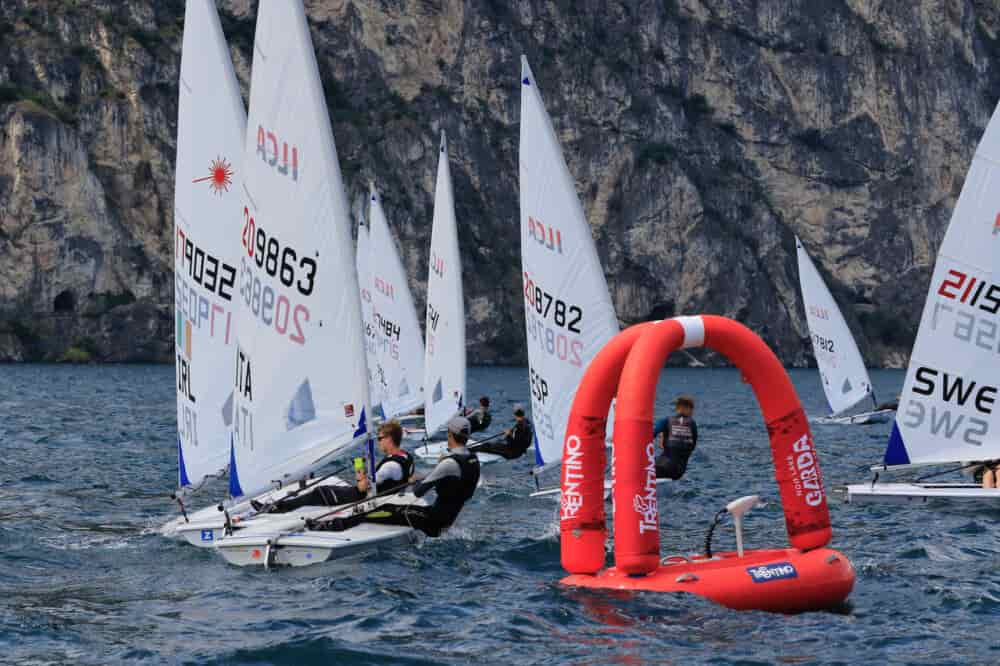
(807, 576)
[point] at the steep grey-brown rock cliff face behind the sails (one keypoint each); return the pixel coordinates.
(703, 136)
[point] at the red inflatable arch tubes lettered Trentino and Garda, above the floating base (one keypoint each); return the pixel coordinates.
(629, 366)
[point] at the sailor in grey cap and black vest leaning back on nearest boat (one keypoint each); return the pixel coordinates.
(454, 481)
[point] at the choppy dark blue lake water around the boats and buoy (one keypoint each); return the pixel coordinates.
(88, 461)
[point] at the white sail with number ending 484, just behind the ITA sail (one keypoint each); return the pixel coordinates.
(399, 349)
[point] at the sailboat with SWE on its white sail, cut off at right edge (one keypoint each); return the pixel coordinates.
(948, 412)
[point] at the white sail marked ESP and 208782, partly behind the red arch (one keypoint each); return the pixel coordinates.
(567, 308)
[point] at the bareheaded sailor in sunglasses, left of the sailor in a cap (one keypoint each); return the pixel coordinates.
(393, 471)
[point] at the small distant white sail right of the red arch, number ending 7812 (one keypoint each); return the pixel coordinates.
(845, 378)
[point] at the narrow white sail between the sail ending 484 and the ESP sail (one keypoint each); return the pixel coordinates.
(444, 362)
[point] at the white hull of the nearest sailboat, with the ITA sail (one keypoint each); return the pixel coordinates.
(287, 542)
